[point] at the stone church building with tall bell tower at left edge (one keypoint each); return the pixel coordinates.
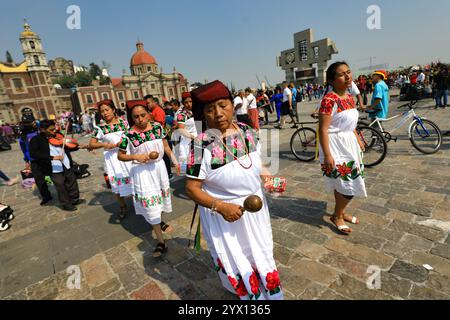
(27, 84)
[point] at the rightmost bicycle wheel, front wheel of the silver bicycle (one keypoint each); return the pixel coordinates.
(426, 136)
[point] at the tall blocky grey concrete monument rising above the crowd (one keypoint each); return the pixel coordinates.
(308, 60)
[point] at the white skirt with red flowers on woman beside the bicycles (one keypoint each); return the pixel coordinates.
(347, 177)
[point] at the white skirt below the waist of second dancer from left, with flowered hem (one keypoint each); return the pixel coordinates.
(151, 190)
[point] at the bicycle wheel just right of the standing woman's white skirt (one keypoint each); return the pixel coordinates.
(374, 144)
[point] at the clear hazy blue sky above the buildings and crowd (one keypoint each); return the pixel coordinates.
(231, 40)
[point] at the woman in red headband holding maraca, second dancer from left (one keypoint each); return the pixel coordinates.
(145, 144)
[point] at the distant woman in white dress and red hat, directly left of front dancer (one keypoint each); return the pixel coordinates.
(185, 128)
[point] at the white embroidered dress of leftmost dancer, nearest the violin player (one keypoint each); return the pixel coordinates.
(118, 172)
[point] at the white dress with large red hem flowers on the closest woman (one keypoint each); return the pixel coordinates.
(242, 251)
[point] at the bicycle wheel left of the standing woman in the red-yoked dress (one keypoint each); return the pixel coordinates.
(303, 144)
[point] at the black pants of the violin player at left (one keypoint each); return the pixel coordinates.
(67, 187)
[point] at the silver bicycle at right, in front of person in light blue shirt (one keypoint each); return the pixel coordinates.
(420, 129)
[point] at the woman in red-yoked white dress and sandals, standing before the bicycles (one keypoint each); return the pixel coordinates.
(340, 149)
